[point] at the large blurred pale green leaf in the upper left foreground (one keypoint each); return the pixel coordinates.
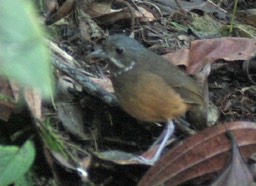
(24, 56)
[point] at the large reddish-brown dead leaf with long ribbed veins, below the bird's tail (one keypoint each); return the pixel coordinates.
(202, 154)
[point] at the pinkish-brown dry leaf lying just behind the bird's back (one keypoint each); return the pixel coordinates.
(212, 50)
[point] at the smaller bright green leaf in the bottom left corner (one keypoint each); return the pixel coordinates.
(15, 162)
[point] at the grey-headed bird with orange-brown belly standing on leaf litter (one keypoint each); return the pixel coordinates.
(150, 88)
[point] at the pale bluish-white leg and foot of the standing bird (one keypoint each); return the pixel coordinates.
(169, 129)
